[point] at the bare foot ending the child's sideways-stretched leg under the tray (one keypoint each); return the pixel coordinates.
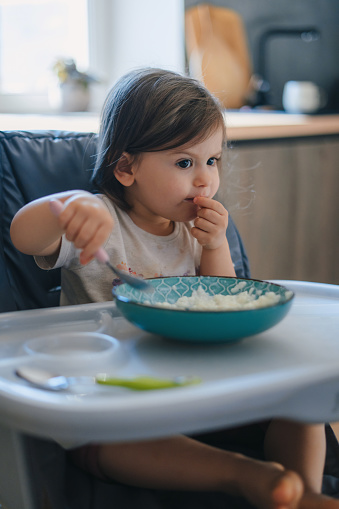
(268, 486)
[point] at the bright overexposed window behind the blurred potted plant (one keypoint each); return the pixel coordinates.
(33, 35)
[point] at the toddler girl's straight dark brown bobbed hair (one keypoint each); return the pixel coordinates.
(150, 110)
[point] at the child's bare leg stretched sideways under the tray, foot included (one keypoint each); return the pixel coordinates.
(181, 463)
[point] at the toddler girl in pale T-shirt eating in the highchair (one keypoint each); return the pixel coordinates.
(157, 170)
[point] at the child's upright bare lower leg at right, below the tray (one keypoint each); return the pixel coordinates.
(301, 448)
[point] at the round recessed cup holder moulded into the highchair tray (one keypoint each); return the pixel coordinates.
(74, 349)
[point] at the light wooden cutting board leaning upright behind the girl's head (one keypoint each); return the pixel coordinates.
(217, 52)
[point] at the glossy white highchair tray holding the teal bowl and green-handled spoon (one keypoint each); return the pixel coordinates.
(291, 370)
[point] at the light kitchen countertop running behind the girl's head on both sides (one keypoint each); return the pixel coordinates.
(240, 125)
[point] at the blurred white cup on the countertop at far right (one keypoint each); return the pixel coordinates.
(302, 97)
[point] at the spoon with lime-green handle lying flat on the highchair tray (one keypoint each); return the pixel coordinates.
(45, 380)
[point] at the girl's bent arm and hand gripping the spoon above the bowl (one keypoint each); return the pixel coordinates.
(35, 230)
